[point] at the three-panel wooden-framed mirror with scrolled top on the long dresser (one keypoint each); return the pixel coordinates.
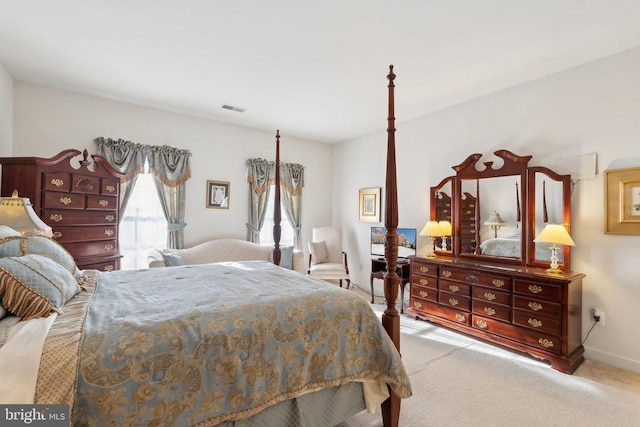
(499, 206)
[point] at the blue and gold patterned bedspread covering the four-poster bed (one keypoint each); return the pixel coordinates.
(204, 344)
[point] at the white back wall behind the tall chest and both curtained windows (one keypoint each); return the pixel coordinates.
(48, 121)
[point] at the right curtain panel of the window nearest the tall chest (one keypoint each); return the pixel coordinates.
(171, 169)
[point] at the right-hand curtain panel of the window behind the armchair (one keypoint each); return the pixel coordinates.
(292, 182)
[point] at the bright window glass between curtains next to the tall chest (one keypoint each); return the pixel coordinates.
(143, 226)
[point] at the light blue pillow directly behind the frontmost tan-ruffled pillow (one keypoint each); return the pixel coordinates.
(38, 244)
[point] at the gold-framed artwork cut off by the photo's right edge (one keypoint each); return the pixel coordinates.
(622, 201)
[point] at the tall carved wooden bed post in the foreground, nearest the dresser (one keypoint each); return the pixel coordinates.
(390, 317)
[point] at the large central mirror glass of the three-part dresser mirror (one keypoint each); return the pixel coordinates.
(490, 217)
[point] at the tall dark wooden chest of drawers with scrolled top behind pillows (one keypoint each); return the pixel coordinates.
(80, 202)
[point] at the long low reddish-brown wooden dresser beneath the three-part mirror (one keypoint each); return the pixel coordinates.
(523, 308)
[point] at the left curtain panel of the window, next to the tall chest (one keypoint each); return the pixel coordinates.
(126, 157)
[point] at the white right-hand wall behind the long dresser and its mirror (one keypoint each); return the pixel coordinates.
(593, 108)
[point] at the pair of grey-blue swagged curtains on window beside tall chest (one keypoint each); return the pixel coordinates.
(170, 168)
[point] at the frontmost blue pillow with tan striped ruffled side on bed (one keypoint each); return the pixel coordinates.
(34, 285)
